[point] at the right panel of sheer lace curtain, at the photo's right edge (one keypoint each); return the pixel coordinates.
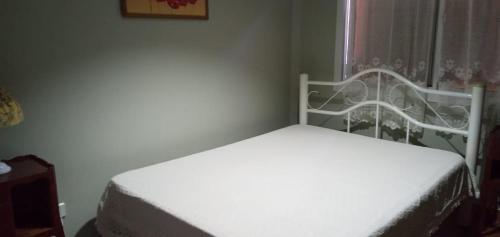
(469, 44)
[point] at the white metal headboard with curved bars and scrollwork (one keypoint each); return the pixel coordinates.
(472, 131)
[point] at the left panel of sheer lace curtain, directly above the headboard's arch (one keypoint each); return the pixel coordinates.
(391, 34)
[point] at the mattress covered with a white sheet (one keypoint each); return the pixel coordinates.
(297, 181)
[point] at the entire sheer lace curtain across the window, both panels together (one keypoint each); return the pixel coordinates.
(447, 44)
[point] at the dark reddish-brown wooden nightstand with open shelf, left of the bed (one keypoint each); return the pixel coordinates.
(28, 199)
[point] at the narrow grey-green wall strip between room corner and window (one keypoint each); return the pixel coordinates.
(313, 45)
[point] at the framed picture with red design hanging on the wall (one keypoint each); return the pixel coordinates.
(190, 9)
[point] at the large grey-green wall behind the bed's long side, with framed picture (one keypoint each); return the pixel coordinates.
(104, 94)
